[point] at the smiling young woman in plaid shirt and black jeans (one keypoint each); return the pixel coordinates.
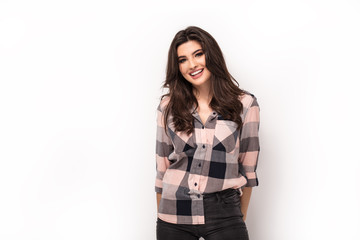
(207, 144)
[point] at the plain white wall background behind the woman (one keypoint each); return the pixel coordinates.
(80, 83)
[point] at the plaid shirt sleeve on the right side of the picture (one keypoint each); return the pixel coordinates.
(249, 143)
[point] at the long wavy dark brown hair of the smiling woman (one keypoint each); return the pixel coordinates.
(225, 93)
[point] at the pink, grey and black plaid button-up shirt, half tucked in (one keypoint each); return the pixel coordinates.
(213, 158)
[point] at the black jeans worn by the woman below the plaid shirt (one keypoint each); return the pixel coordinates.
(223, 221)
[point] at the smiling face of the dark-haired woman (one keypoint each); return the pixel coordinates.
(192, 64)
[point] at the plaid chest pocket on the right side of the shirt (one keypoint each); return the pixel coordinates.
(225, 135)
